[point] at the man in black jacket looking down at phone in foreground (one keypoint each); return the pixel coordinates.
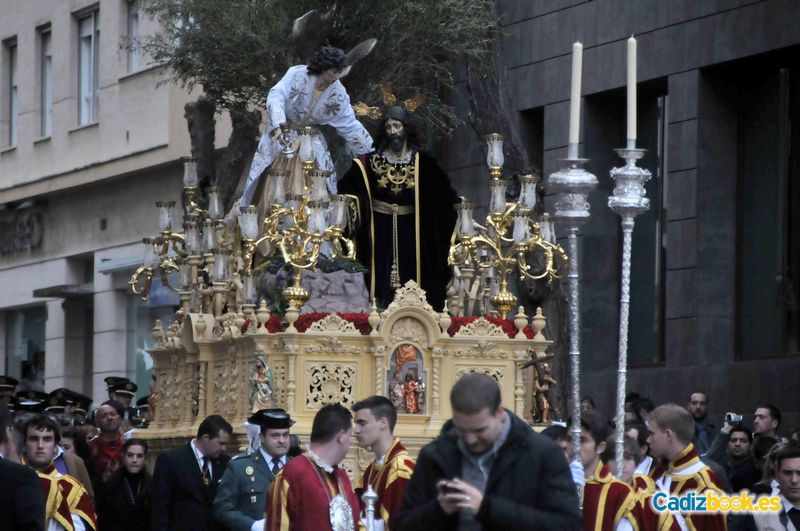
(488, 470)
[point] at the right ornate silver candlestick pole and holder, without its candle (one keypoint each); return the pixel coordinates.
(628, 200)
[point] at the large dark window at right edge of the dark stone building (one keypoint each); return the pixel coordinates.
(769, 214)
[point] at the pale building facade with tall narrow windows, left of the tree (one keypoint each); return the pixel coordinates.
(88, 142)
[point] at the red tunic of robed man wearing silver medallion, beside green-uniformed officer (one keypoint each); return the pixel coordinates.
(300, 495)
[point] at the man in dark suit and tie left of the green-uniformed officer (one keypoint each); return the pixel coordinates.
(186, 479)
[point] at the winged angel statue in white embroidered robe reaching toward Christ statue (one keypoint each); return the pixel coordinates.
(307, 96)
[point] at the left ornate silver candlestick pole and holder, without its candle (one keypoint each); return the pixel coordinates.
(572, 183)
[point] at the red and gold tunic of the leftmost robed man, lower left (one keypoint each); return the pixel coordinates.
(64, 497)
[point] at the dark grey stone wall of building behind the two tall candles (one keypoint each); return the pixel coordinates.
(694, 57)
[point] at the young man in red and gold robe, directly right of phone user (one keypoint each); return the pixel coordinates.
(608, 504)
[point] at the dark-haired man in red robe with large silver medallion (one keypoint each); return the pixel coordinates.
(311, 493)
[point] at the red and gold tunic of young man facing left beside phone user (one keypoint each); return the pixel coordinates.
(388, 481)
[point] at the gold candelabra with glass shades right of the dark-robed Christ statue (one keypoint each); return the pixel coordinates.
(510, 239)
